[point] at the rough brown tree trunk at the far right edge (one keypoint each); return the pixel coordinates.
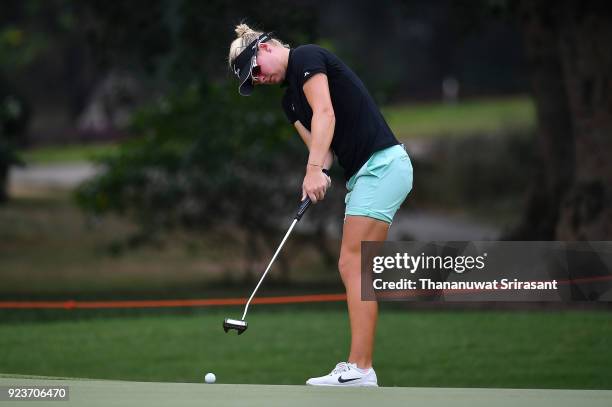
(586, 54)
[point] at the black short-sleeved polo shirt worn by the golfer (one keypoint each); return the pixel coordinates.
(360, 127)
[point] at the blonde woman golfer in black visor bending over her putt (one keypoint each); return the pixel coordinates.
(334, 114)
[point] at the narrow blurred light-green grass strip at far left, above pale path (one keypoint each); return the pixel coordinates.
(67, 153)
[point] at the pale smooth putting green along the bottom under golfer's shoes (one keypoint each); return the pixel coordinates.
(93, 393)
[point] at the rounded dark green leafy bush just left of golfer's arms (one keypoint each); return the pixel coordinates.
(204, 155)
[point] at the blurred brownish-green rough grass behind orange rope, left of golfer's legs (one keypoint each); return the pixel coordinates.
(48, 247)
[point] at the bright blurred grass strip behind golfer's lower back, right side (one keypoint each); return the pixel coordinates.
(481, 116)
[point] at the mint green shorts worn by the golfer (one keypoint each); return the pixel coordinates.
(380, 186)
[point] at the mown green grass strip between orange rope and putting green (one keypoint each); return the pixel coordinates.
(285, 345)
